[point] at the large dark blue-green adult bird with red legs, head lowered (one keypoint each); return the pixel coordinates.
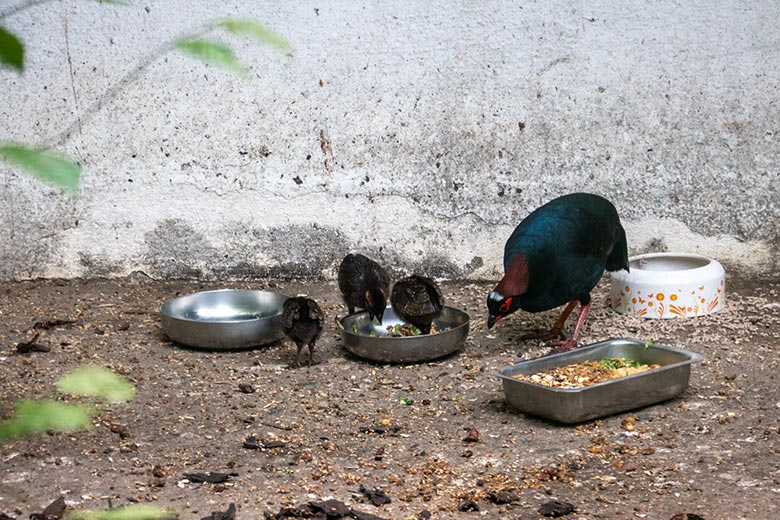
(556, 256)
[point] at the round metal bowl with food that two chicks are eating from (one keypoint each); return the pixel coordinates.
(367, 339)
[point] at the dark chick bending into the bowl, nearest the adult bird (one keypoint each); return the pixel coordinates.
(418, 301)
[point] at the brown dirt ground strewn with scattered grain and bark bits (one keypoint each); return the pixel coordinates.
(342, 424)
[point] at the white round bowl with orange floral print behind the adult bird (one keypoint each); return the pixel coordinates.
(669, 285)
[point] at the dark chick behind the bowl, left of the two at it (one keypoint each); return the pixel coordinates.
(365, 285)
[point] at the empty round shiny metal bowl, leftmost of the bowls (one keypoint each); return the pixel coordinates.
(225, 319)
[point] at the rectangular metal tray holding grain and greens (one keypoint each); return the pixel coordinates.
(573, 405)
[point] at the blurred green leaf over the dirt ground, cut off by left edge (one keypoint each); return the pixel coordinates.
(39, 416)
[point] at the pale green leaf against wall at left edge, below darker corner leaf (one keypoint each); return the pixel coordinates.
(51, 168)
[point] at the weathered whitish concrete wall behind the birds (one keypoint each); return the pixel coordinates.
(420, 132)
